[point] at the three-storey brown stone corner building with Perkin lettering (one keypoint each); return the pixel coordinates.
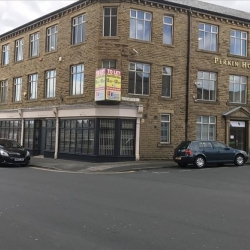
(184, 75)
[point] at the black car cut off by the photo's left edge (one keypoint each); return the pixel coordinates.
(13, 153)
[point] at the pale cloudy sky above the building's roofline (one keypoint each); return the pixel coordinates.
(14, 13)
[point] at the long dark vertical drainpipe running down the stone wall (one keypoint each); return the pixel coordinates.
(188, 73)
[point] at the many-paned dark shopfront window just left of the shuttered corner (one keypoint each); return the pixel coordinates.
(77, 136)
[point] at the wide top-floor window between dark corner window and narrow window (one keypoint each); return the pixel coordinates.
(140, 25)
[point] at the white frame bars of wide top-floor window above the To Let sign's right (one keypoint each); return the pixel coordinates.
(147, 18)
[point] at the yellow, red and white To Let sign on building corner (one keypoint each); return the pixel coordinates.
(108, 85)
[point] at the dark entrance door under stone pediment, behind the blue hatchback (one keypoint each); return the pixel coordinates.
(237, 138)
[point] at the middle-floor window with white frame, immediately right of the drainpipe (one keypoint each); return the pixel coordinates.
(206, 86)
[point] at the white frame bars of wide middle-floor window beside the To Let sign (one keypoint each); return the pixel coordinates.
(134, 69)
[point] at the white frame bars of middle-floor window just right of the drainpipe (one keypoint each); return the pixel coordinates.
(201, 81)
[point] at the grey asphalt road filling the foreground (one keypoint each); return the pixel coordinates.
(168, 208)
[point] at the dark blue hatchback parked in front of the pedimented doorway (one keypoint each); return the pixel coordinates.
(200, 153)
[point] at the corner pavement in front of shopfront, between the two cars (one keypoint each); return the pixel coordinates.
(90, 167)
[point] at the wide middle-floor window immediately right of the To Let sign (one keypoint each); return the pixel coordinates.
(139, 75)
